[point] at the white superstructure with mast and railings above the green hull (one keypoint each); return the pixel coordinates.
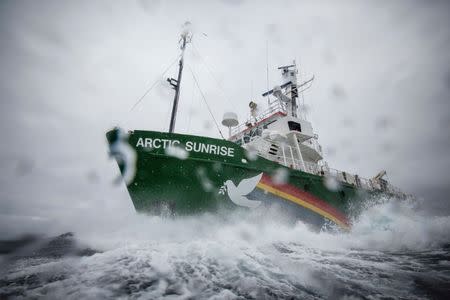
(281, 133)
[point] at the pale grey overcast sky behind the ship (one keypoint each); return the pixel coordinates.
(70, 70)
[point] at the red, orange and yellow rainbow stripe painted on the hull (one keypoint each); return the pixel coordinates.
(293, 194)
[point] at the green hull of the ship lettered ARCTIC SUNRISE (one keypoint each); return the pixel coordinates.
(189, 178)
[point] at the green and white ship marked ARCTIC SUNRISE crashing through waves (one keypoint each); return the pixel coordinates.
(272, 159)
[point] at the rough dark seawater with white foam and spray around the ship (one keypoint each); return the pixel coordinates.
(392, 252)
